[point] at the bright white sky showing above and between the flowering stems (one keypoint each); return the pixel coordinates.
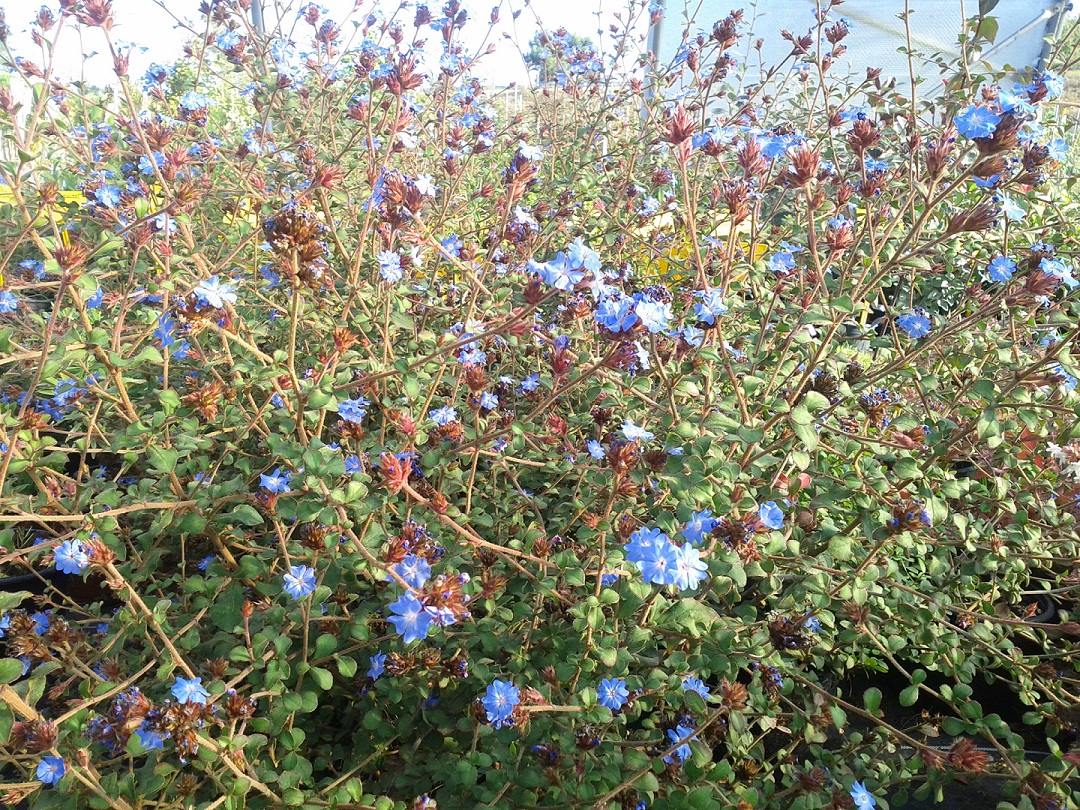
(157, 37)
